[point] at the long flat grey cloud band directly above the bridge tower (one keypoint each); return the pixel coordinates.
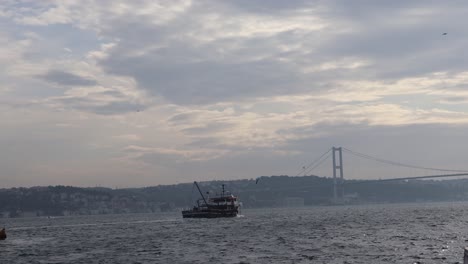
(407, 141)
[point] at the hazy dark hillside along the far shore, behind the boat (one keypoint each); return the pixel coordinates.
(273, 191)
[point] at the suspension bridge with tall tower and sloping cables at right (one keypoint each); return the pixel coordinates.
(339, 183)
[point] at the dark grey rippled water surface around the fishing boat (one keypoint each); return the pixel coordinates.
(410, 233)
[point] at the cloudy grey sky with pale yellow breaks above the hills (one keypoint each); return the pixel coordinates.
(144, 92)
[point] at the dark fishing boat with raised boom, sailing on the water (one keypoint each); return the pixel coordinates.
(221, 205)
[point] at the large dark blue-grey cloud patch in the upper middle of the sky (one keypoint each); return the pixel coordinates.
(205, 81)
